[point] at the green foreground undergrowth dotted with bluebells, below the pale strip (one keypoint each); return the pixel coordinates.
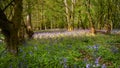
(65, 52)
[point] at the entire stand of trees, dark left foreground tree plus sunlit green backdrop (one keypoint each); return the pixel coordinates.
(19, 17)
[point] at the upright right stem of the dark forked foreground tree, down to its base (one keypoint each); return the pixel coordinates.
(15, 38)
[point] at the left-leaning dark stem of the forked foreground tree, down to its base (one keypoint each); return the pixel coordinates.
(11, 36)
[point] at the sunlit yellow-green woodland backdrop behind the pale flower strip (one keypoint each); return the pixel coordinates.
(72, 14)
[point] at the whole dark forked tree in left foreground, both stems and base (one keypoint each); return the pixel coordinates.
(11, 29)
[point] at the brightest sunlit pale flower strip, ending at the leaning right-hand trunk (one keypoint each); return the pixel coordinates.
(61, 34)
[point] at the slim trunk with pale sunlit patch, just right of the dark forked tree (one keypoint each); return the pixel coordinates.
(28, 23)
